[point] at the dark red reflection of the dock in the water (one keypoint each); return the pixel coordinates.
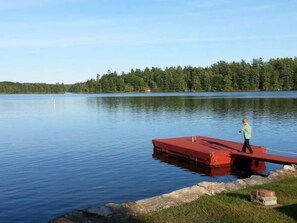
(242, 167)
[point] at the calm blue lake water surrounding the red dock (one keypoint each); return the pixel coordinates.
(84, 150)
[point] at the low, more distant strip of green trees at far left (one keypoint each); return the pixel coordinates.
(31, 88)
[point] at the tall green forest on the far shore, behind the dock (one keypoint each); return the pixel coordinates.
(275, 74)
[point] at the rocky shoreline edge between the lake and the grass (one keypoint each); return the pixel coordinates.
(112, 212)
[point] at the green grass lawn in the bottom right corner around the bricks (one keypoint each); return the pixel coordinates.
(232, 207)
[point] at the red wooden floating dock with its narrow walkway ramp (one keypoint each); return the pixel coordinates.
(214, 152)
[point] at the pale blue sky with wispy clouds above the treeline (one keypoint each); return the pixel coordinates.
(72, 40)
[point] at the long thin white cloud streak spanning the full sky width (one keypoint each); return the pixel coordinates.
(129, 40)
